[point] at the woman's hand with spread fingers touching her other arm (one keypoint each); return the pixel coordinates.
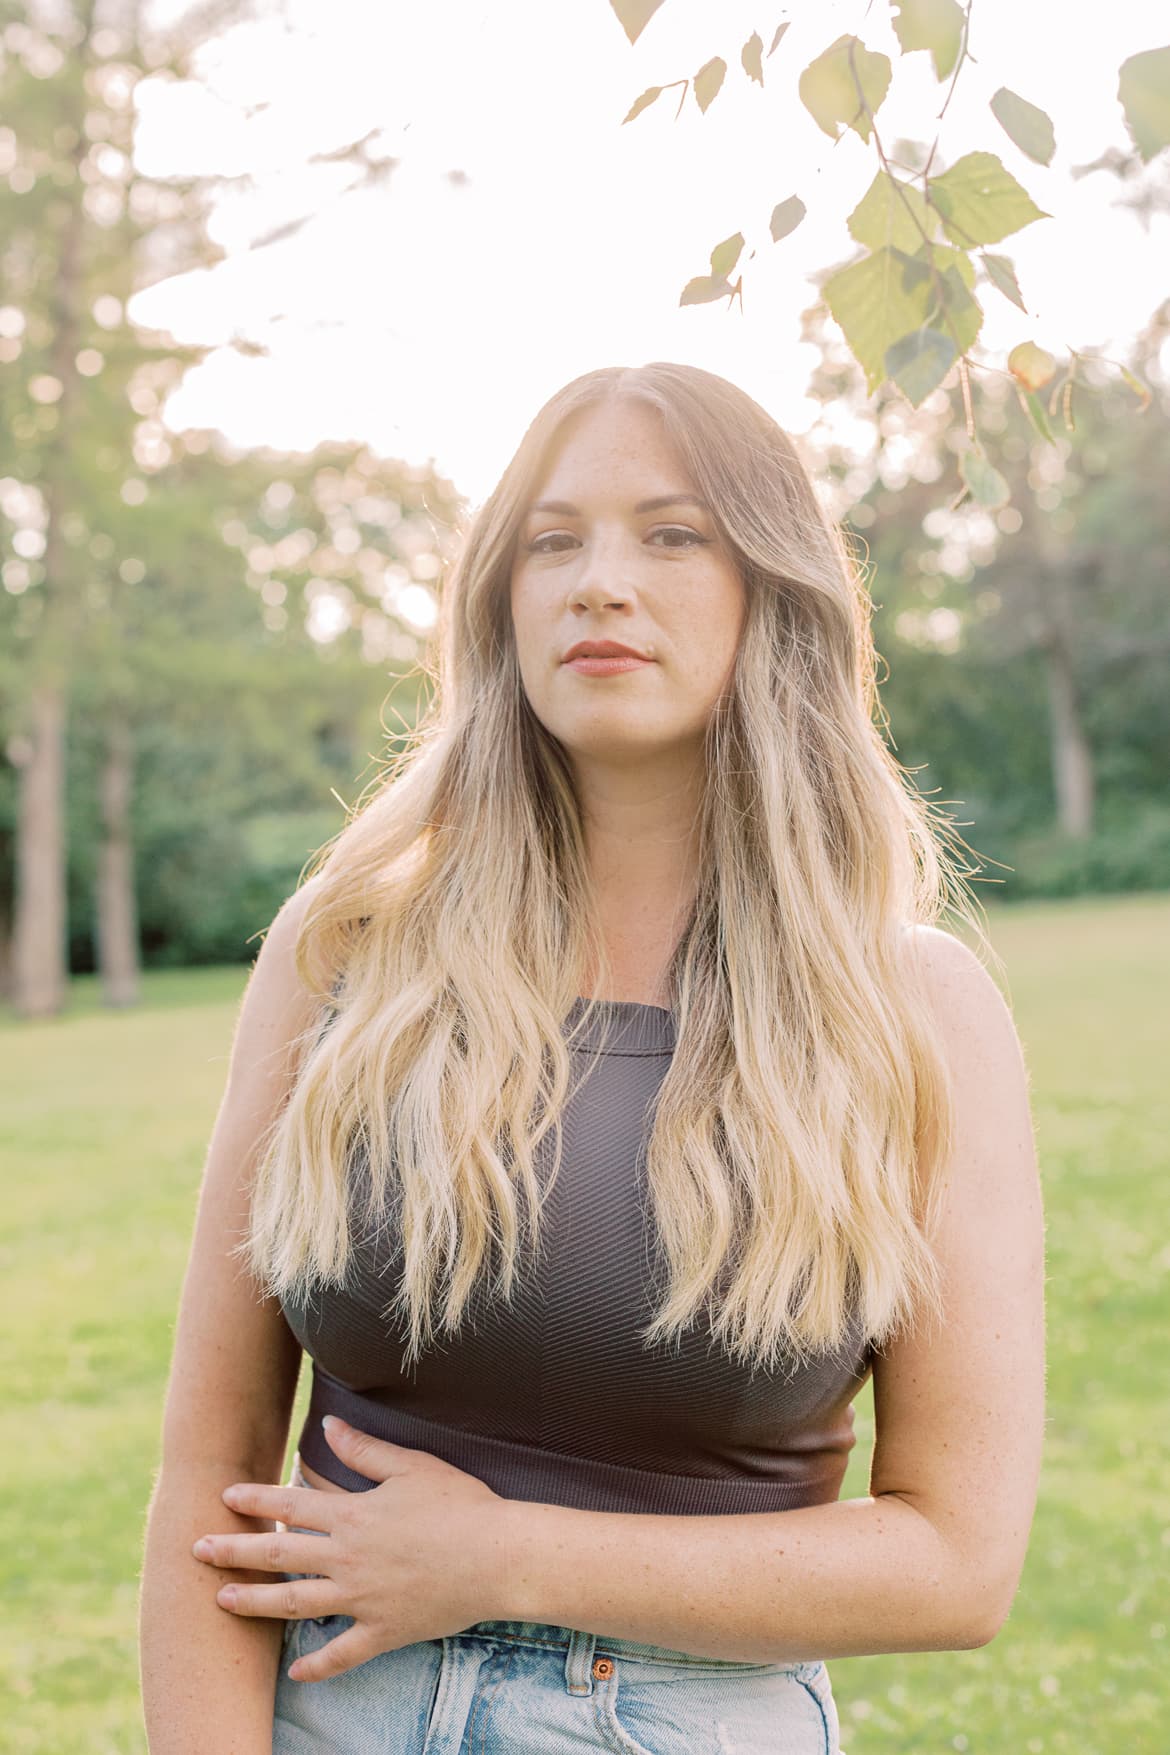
(422, 1556)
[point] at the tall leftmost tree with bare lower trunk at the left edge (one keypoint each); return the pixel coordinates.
(78, 227)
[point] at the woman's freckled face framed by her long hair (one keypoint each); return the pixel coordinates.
(601, 566)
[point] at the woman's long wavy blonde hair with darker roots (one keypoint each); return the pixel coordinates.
(806, 1112)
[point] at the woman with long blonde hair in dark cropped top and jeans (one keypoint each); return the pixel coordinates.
(604, 1110)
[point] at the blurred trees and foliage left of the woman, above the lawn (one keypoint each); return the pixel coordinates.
(208, 633)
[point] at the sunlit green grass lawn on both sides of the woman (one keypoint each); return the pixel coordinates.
(106, 1119)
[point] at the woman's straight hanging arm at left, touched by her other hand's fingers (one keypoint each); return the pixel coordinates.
(208, 1675)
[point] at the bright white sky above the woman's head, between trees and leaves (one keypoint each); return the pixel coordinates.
(432, 319)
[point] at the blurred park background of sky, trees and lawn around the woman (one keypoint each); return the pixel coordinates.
(282, 287)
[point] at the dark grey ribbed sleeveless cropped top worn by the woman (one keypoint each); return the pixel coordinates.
(555, 1398)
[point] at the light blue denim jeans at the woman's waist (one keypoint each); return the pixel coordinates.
(536, 1689)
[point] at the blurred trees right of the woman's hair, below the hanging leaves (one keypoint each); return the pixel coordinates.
(1025, 650)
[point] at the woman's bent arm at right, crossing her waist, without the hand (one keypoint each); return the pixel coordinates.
(932, 1559)
